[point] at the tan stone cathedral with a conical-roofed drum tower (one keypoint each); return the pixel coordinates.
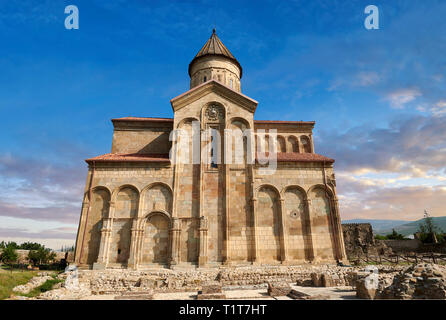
(141, 209)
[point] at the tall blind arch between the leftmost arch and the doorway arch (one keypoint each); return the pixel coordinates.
(125, 211)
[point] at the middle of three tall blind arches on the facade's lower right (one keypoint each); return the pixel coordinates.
(297, 222)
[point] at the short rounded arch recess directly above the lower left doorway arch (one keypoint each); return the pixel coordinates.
(157, 196)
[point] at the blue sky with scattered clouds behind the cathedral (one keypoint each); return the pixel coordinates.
(378, 96)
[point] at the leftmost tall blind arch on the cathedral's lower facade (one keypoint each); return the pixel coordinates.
(99, 209)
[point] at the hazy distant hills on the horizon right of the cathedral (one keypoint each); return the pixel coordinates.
(404, 227)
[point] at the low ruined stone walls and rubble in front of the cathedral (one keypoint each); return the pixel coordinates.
(423, 281)
